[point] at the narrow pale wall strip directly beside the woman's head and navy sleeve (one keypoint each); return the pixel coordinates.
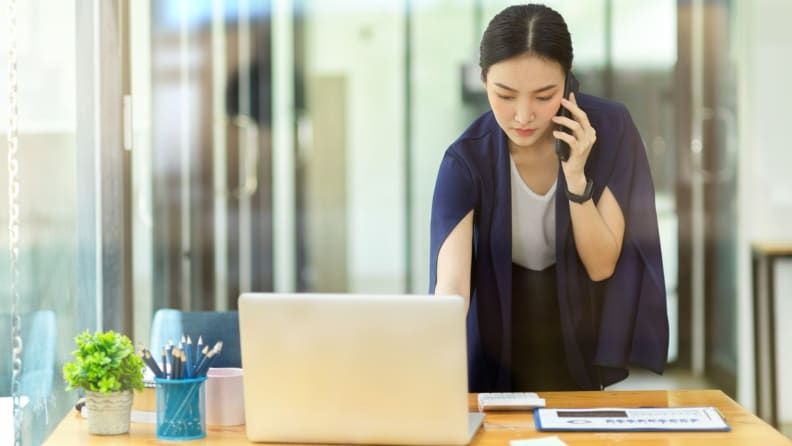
(443, 40)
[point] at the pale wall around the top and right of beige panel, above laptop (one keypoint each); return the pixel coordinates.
(363, 43)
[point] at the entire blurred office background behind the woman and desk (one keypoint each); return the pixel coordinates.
(175, 153)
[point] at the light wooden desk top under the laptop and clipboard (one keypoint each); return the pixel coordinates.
(499, 428)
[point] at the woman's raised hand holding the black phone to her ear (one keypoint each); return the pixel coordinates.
(580, 141)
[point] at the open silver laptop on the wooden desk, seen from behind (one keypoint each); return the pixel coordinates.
(355, 368)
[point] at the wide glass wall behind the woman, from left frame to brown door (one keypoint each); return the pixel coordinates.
(376, 93)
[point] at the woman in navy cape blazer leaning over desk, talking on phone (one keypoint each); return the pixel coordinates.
(559, 261)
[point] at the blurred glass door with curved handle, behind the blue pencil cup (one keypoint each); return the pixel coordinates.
(202, 174)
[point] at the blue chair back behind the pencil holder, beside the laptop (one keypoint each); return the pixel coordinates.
(171, 324)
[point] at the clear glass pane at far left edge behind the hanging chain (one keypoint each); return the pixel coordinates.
(46, 297)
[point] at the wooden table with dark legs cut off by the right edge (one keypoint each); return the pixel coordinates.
(764, 255)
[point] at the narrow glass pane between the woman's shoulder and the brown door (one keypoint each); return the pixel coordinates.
(643, 75)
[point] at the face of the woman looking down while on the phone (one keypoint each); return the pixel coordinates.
(524, 93)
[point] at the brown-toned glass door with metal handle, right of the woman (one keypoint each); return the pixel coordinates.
(706, 189)
